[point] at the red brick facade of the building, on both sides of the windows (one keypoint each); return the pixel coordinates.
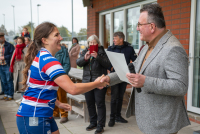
(177, 16)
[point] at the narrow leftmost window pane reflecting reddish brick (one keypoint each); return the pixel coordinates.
(107, 22)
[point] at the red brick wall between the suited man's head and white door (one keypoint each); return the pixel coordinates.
(177, 17)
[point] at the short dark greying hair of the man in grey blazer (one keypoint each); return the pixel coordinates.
(155, 15)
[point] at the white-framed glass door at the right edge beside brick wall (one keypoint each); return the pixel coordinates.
(194, 68)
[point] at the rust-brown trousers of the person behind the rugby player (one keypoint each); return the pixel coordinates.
(62, 97)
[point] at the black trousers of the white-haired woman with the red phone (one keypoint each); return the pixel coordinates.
(96, 96)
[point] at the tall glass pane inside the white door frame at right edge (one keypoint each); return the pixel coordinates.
(196, 75)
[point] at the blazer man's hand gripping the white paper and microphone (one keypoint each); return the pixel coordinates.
(136, 80)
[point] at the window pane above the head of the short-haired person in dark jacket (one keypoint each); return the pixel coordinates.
(118, 21)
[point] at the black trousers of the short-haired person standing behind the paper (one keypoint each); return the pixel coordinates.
(117, 94)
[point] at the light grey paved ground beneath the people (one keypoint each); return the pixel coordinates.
(76, 125)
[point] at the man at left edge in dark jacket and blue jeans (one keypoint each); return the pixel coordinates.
(6, 51)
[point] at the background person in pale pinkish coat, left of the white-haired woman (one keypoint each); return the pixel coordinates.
(73, 52)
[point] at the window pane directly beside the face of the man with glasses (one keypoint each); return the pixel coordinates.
(132, 33)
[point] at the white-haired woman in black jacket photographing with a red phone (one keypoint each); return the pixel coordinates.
(95, 63)
